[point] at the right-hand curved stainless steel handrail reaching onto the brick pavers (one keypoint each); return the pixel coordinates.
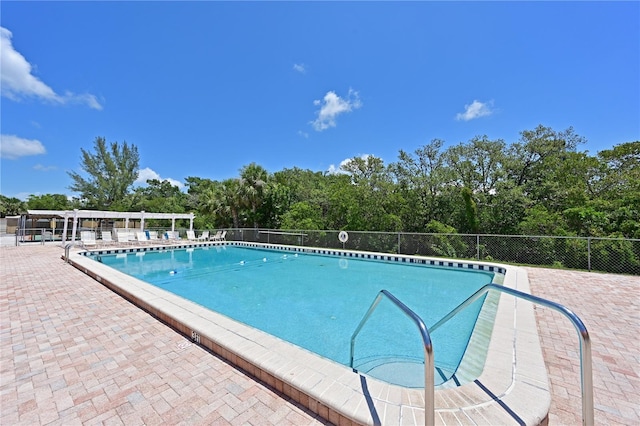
(586, 377)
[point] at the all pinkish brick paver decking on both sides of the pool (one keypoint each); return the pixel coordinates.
(74, 352)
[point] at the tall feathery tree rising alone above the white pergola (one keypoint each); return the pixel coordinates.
(111, 171)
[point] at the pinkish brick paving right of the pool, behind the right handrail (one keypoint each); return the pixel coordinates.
(609, 306)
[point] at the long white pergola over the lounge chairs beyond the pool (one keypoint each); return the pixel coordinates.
(76, 215)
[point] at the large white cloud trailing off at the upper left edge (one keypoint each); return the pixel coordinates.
(17, 81)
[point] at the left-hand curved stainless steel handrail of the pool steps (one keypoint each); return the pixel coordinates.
(429, 415)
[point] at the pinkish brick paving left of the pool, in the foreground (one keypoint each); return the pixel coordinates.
(73, 352)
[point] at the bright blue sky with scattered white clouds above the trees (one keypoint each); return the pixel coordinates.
(204, 88)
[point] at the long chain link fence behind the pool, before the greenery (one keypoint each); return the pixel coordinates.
(614, 255)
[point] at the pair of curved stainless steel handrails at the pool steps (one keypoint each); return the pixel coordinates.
(586, 375)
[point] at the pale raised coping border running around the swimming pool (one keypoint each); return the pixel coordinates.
(512, 389)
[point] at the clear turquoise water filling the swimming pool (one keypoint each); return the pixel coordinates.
(317, 301)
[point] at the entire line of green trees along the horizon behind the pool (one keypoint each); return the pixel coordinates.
(542, 184)
